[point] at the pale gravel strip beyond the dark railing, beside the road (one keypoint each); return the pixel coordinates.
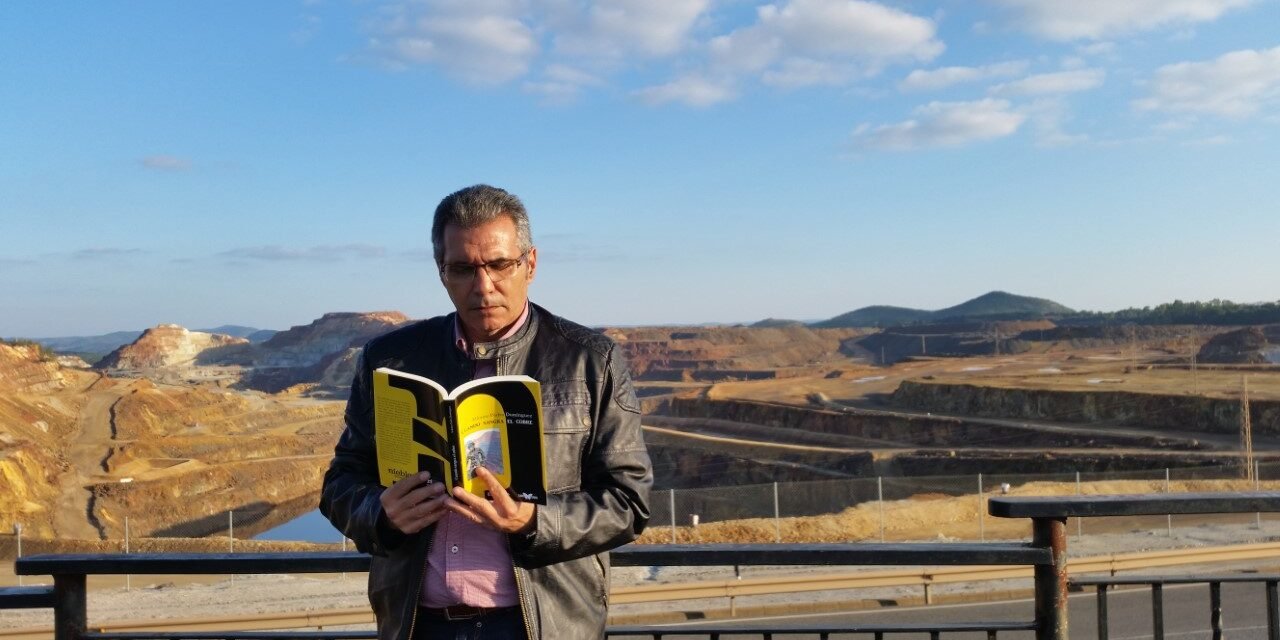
(153, 597)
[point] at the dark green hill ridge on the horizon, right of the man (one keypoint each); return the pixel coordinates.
(996, 305)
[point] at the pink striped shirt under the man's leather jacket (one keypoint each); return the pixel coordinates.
(470, 564)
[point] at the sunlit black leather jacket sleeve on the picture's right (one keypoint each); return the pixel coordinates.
(611, 506)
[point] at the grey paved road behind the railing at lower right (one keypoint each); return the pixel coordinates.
(1187, 616)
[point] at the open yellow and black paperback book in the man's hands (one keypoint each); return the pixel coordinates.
(496, 423)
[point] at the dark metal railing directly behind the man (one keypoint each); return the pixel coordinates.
(1046, 555)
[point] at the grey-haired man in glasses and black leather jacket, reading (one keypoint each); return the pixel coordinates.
(460, 566)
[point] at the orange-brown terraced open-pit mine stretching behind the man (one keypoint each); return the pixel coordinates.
(81, 451)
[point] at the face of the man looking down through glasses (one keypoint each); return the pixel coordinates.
(488, 309)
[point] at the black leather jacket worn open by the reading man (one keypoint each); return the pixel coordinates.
(598, 473)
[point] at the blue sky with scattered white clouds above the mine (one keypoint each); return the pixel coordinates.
(689, 162)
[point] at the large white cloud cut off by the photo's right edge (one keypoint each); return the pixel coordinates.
(1235, 85)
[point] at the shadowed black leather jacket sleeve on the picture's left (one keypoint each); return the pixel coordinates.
(350, 497)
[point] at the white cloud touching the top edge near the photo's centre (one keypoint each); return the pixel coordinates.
(619, 28)
